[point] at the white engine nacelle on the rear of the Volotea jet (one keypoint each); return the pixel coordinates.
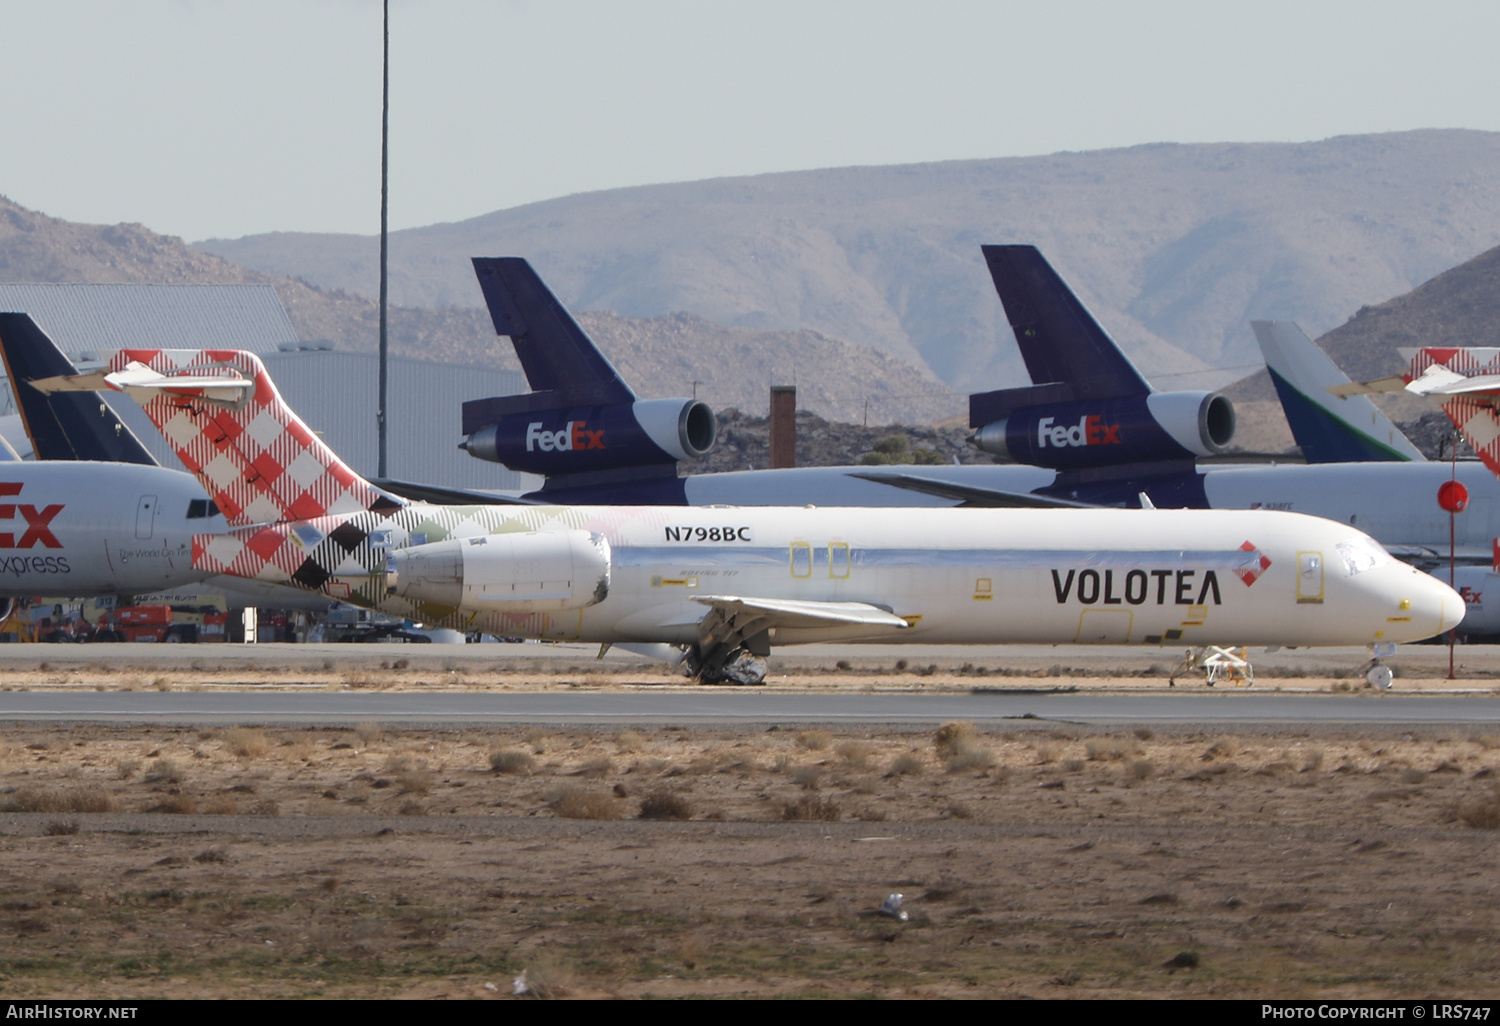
(526, 572)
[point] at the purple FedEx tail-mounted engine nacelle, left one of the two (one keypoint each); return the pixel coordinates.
(593, 439)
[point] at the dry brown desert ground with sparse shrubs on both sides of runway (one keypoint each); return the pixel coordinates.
(1040, 860)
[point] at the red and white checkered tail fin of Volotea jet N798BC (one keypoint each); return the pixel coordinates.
(230, 428)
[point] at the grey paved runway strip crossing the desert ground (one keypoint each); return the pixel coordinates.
(749, 709)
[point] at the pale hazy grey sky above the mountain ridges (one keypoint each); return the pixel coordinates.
(227, 118)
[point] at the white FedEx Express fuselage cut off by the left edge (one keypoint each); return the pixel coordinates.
(79, 529)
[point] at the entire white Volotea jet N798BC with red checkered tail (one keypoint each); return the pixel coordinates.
(725, 586)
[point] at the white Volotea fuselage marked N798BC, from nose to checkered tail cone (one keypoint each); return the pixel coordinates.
(953, 577)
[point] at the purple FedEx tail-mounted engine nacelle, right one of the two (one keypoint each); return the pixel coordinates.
(1072, 436)
